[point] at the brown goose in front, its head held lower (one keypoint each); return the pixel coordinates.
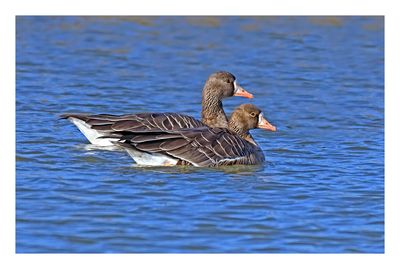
(202, 146)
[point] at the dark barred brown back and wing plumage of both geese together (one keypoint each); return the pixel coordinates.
(178, 136)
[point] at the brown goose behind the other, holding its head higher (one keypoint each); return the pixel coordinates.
(219, 85)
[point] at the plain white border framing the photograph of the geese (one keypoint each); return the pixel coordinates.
(206, 7)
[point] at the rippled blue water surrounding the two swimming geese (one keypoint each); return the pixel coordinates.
(320, 80)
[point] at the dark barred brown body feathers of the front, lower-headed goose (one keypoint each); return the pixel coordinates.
(202, 146)
